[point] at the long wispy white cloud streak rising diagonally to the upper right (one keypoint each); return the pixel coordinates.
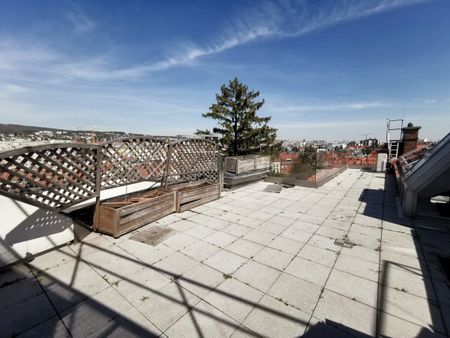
(273, 19)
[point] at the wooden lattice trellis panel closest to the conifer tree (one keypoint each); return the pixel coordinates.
(193, 160)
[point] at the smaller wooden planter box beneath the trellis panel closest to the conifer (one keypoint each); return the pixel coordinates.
(192, 194)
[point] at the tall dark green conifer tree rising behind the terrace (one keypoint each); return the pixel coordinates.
(241, 129)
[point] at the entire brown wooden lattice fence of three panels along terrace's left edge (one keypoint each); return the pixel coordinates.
(56, 176)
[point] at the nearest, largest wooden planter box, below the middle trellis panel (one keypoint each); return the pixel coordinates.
(119, 216)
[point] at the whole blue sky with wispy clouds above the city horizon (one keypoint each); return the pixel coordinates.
(326, 69)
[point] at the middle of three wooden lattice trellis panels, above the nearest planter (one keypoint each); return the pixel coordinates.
(132, 160)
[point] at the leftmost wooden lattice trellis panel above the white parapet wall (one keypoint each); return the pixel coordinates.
(50, 176)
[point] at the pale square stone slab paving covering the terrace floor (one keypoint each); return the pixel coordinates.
(250, 264)
